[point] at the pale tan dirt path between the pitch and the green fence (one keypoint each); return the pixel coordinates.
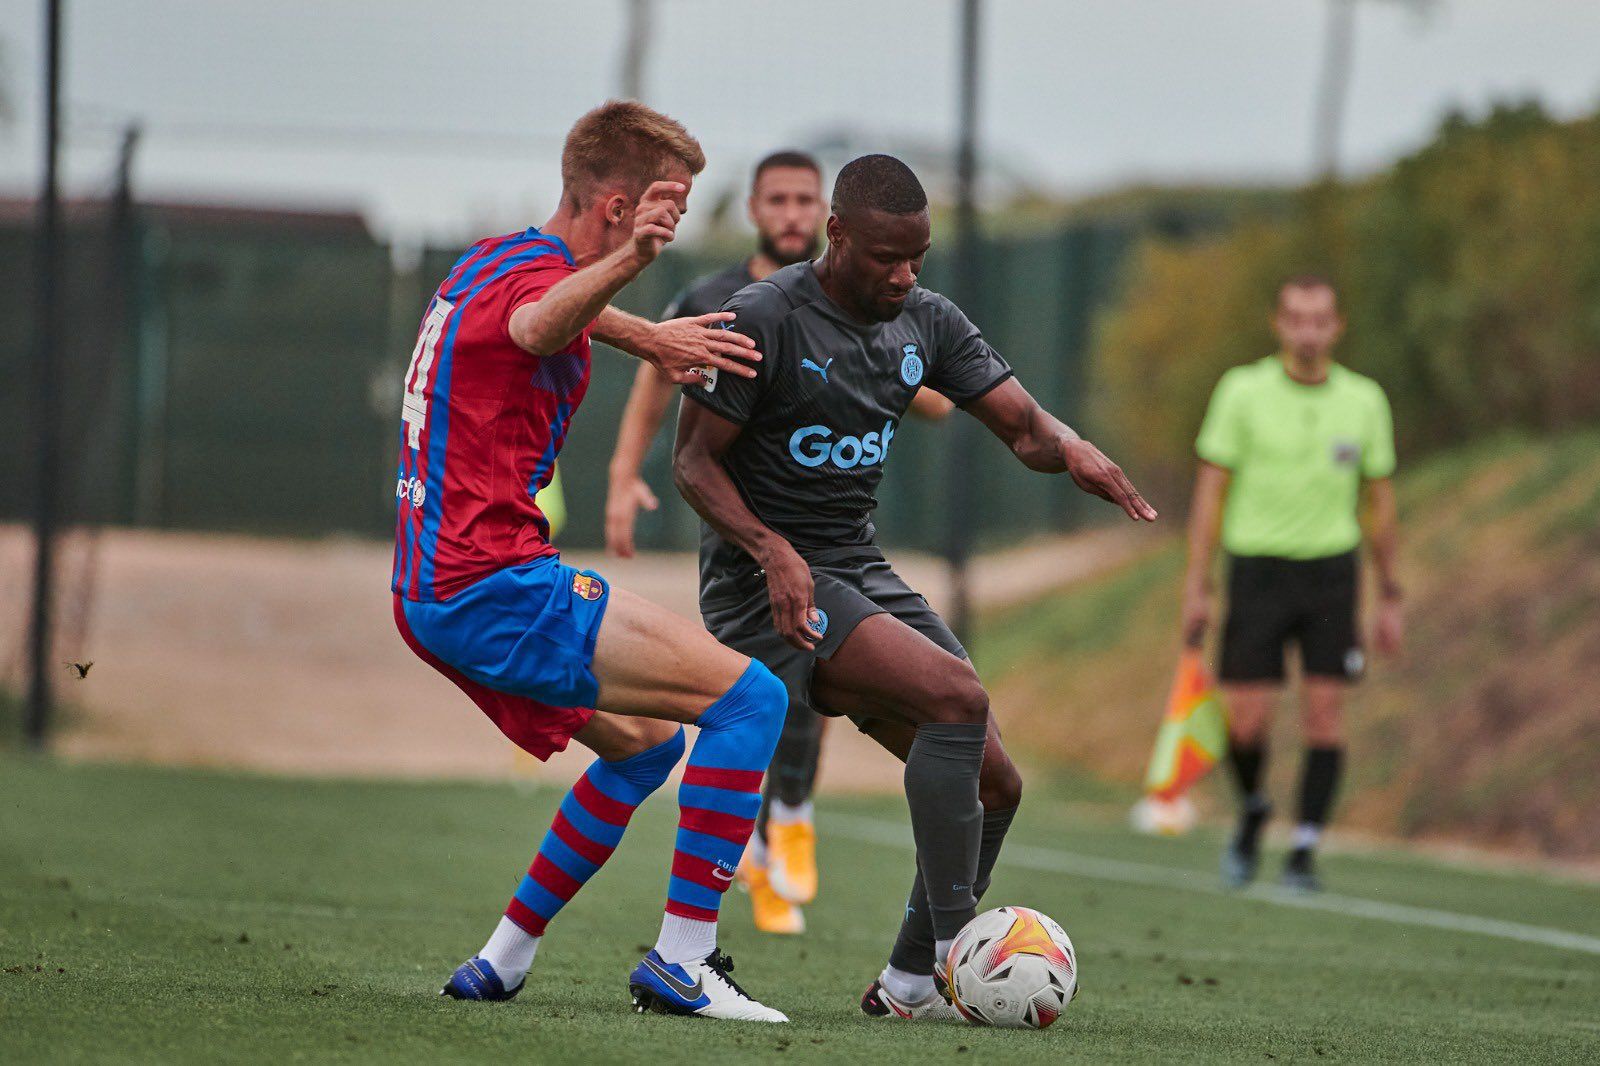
(282, 657)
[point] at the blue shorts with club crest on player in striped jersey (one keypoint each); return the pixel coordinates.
(526, 631)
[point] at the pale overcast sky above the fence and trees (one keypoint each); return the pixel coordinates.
(444, 118)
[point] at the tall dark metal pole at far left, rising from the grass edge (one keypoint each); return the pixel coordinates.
(47, 393)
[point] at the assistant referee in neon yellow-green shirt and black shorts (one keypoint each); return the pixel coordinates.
(1289, 447)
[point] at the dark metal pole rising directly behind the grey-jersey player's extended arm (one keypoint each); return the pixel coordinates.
(962, 479)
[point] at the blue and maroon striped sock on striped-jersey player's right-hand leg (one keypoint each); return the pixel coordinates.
(718, 806)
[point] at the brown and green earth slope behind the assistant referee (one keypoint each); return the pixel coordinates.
(1489, 731)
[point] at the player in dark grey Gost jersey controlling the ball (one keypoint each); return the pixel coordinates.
(783, 470)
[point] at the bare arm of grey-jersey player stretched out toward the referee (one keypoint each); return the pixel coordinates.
(1049, 446)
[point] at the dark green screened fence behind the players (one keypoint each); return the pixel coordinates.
(241, 371)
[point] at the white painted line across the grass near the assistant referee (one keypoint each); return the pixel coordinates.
(1057, 862)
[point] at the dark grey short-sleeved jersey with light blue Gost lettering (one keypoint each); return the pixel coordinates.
(822, 414)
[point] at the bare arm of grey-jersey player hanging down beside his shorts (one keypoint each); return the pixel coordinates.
(703, 441)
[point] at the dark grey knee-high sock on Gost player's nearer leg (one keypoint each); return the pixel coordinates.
(946, 819)
